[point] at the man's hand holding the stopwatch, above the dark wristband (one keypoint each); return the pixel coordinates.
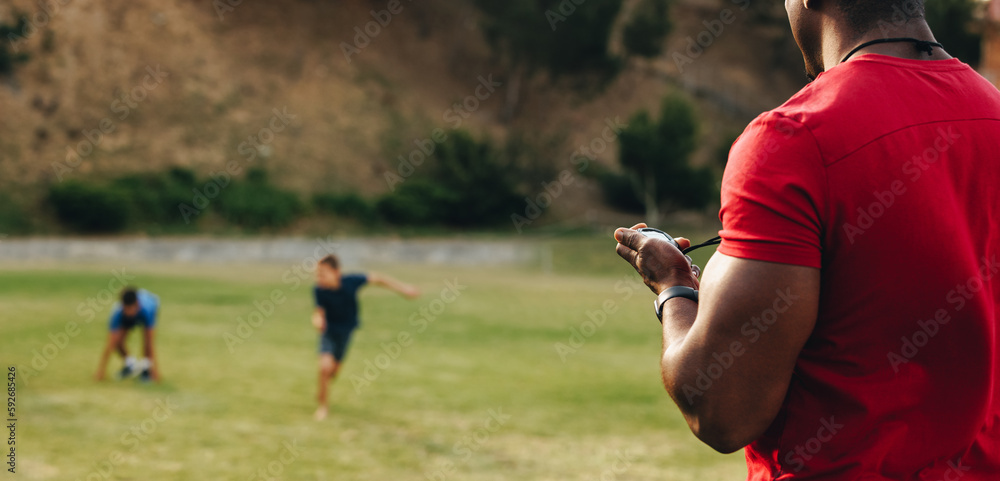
(660, 264)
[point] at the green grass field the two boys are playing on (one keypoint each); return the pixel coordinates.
(480, 391)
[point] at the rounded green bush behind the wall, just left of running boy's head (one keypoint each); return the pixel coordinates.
(255, 204)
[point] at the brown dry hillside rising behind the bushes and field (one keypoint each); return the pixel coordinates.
(275, 74)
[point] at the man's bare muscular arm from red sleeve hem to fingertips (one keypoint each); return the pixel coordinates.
(751, 321)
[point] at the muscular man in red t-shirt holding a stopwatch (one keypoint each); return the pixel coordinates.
(849, 326)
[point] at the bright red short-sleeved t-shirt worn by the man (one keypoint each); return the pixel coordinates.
(884, 173)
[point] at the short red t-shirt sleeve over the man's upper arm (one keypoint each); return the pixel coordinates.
(773, 194)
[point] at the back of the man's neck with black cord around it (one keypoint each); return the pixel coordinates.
(836, 47)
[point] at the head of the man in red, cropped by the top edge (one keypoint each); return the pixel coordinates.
(851, 20)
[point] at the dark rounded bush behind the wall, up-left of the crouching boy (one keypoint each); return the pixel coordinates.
(89, 208)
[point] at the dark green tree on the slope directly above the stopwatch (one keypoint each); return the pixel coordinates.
(655, 155)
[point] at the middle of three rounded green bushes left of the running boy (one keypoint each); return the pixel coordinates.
(154, 198)
